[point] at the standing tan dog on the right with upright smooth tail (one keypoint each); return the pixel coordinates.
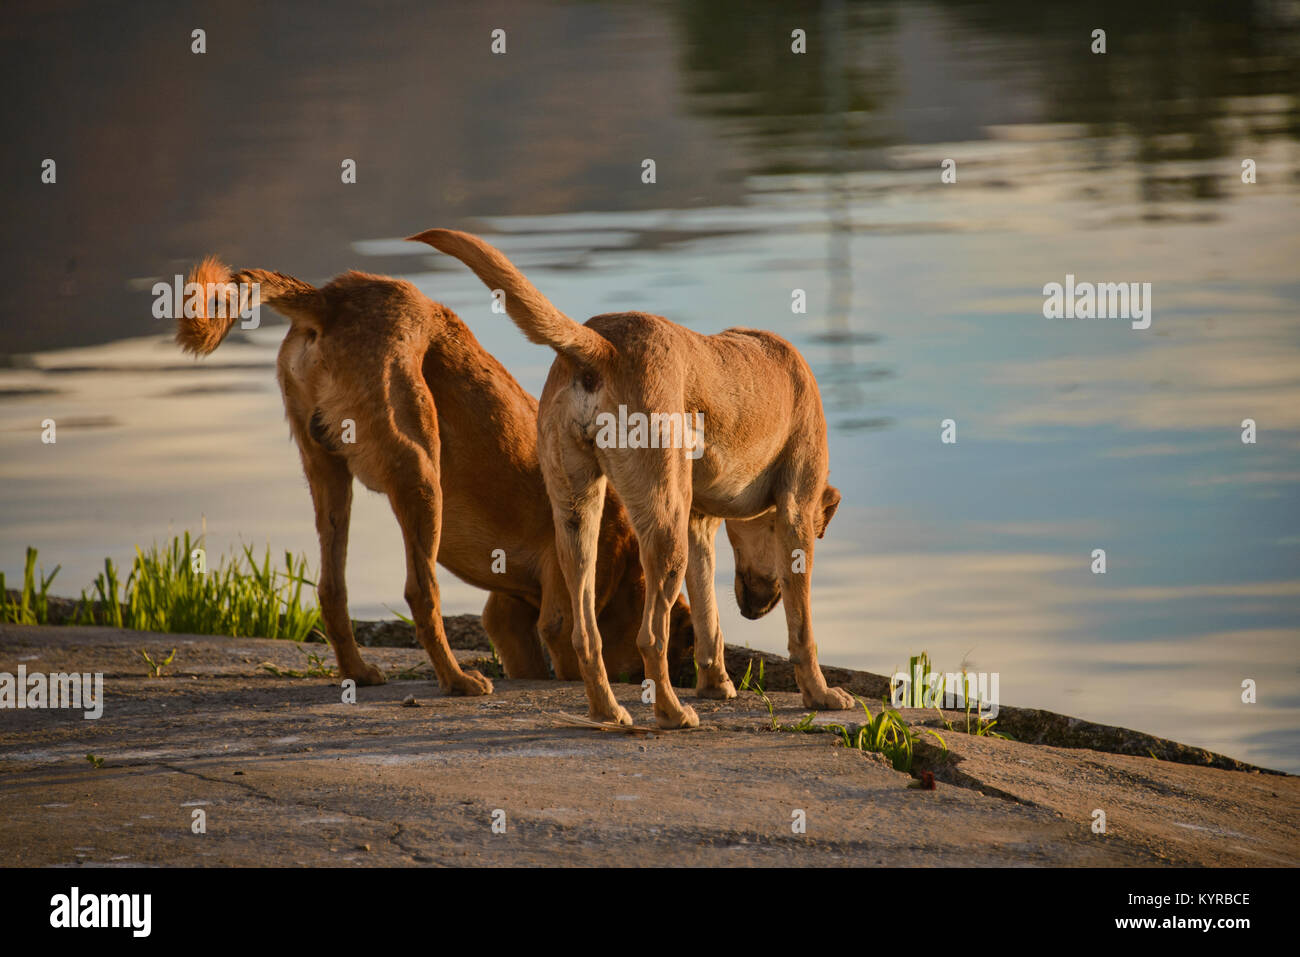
(762, 467)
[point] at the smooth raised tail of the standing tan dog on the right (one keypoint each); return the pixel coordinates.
(532, 311)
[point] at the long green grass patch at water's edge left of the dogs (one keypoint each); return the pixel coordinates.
(163, 592)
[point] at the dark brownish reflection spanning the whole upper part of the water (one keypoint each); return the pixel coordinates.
(164, 155)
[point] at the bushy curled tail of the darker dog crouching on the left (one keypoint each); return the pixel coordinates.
(201, 328)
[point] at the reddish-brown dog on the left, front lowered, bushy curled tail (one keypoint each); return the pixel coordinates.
(383, 384)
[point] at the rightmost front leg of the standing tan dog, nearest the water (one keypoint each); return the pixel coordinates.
(798, 530)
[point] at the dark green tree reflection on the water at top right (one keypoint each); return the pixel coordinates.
(1169, 75)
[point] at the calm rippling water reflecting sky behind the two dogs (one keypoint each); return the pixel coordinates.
(775, 172)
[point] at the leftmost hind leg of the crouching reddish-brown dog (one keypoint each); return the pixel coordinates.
(332, 495)
